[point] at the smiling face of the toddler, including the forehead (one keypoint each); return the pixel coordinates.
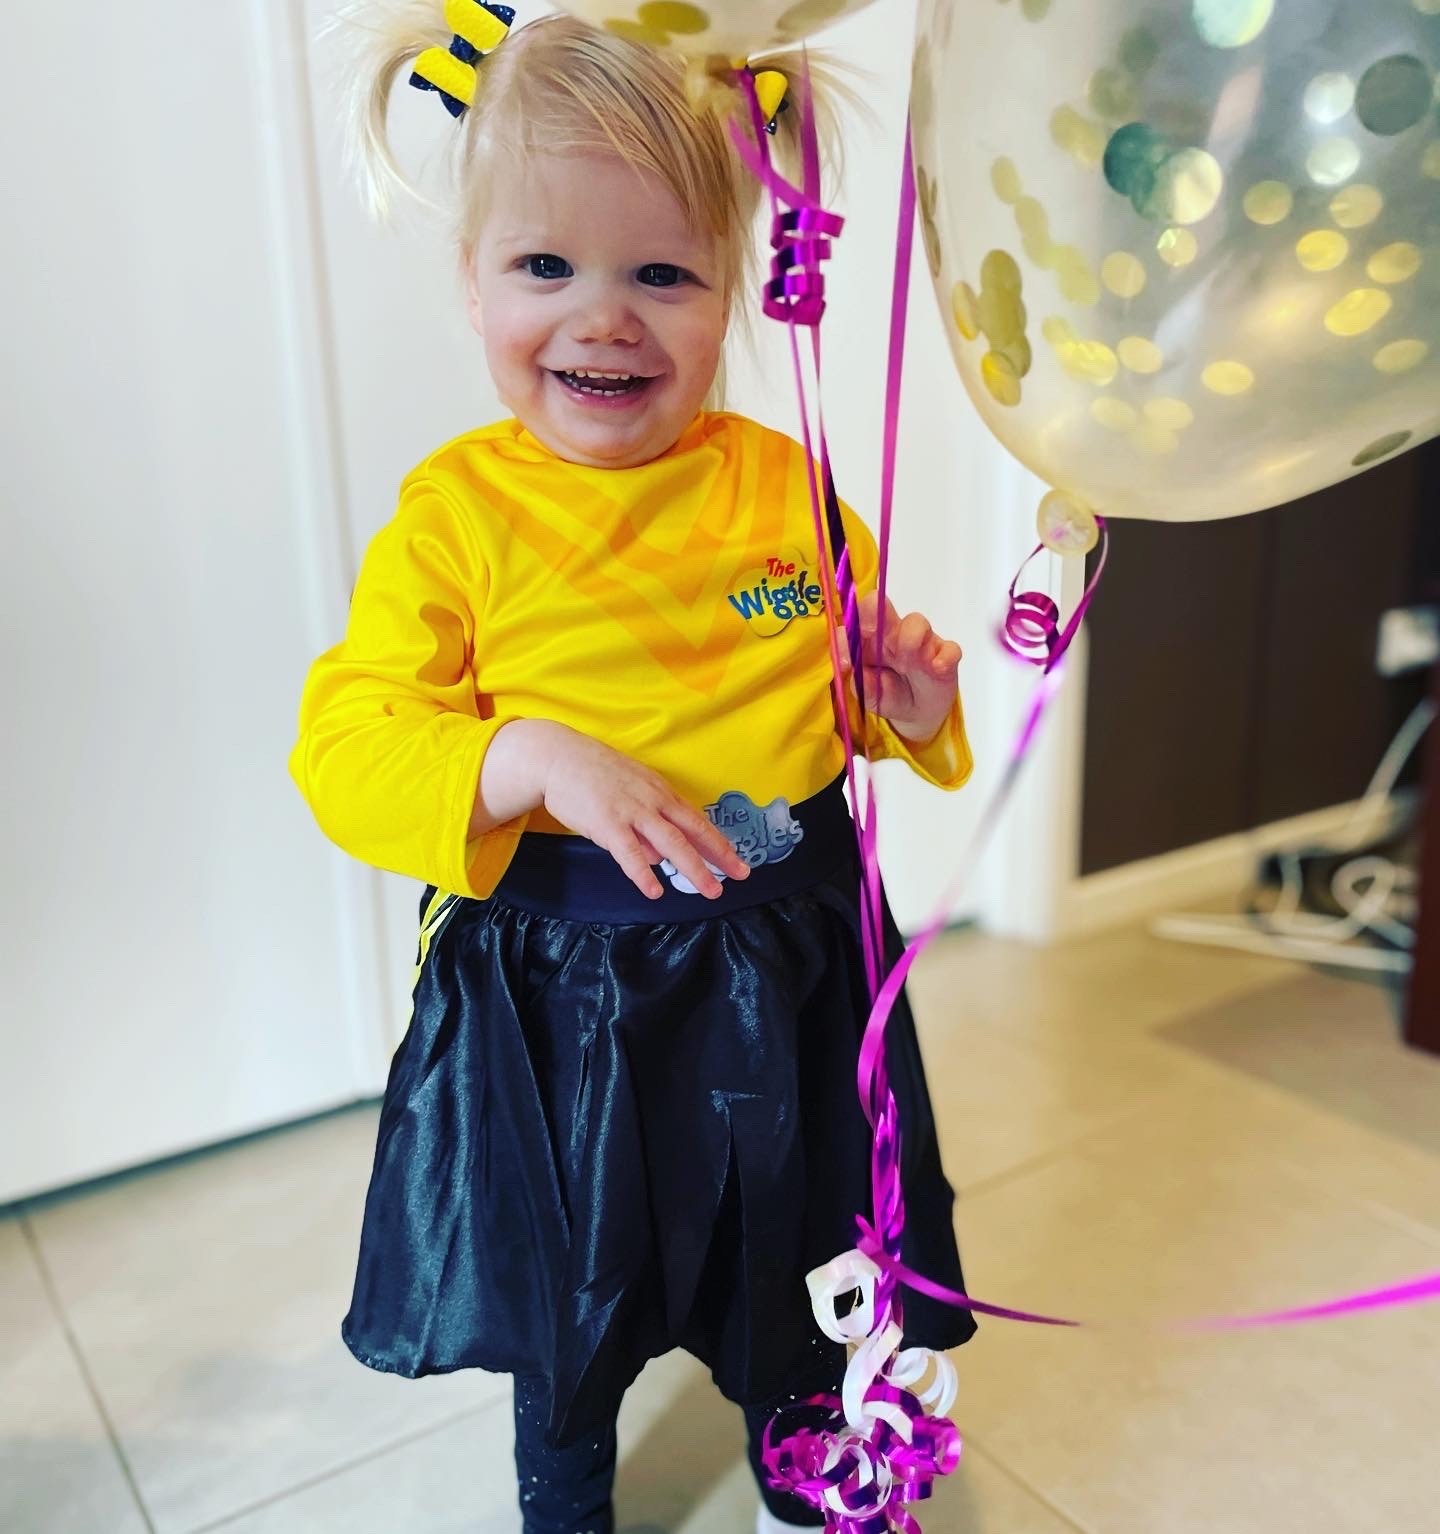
(588, 266)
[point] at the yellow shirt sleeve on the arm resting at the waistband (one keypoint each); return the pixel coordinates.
(392, 729)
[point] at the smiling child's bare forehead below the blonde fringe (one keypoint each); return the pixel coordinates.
(600, 200)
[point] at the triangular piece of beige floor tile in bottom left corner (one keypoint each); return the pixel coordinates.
(59, 1472)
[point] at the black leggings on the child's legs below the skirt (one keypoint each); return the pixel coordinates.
(568, 1490)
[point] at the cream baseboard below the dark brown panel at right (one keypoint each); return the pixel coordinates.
(1174, 881)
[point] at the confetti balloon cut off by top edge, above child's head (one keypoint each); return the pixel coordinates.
(715, 30)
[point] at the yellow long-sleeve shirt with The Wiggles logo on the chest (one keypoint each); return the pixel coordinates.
(671, 611)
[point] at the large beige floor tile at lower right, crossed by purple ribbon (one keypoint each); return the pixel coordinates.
(1326, 1429)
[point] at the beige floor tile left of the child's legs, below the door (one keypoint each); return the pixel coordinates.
(206, 1299)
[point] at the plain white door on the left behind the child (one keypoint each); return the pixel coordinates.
(185, 958)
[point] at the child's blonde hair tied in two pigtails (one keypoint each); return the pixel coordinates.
(562, 87)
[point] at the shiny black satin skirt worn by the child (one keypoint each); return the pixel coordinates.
(607, 1141)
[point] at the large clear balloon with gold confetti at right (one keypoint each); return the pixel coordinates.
(1188, 251)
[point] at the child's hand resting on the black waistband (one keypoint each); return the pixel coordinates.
(634, 814)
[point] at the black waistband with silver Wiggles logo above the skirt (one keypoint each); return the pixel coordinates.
(789, 849)
